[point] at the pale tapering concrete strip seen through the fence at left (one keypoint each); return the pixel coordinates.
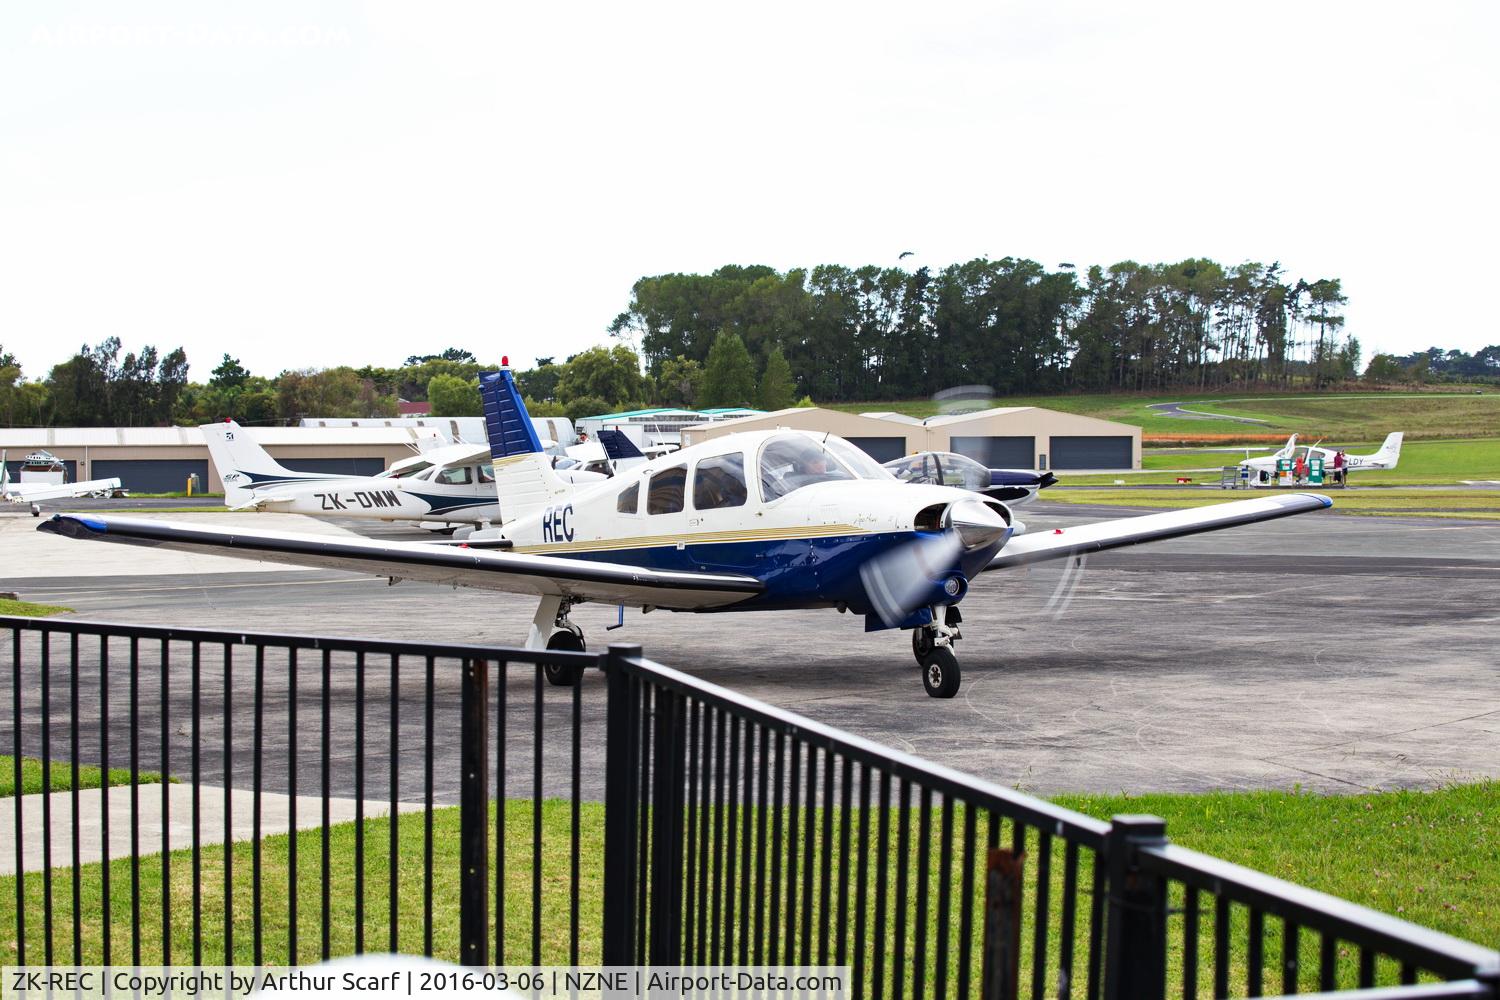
(275, 812)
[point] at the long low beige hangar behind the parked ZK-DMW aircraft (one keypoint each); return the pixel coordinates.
(161, 460)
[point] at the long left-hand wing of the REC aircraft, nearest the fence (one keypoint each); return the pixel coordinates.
(517, 573)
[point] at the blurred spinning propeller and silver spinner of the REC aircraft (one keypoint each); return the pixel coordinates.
(917, 573)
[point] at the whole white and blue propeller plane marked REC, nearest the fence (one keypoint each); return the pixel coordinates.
(754, 521)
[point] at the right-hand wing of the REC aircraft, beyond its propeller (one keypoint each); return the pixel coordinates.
(1132, 531)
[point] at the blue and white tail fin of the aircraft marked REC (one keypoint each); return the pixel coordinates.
(524, 478)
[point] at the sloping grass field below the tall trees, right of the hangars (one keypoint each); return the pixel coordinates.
(1343, 418)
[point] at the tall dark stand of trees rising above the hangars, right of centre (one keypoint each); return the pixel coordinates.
(875, 334)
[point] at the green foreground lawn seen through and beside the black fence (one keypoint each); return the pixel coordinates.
(1427, 857)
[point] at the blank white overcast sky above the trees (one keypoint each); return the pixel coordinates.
(322, 184)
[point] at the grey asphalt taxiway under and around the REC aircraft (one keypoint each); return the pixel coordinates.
(1331, 653)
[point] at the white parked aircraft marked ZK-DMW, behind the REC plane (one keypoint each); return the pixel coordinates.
(446, 485)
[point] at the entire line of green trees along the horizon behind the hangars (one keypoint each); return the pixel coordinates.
(754, 337)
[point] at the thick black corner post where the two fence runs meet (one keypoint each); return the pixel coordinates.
(622, 794)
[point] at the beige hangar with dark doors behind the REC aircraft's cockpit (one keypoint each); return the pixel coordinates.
(1006, 437)
